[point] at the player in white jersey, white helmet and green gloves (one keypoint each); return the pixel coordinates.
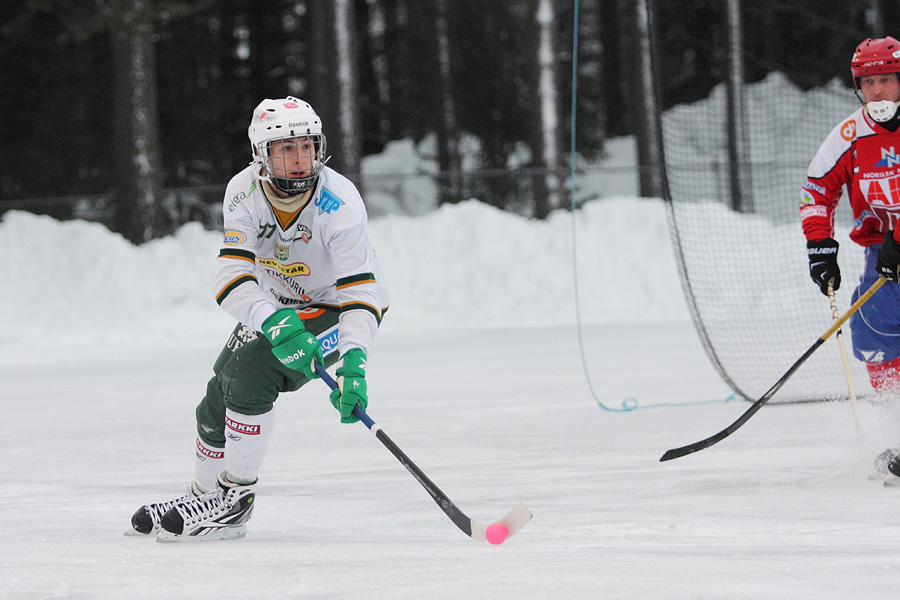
(297, 271)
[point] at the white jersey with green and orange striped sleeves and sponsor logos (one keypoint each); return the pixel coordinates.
(320, 259)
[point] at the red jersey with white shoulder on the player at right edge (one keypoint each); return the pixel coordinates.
(864, 156)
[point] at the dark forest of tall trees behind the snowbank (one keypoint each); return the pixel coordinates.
(128, 100)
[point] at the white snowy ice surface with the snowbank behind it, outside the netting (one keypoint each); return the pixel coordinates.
(477, 375)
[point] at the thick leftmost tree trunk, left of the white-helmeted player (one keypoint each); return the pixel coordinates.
(136, 150)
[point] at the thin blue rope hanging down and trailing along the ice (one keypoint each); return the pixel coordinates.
(628, 404)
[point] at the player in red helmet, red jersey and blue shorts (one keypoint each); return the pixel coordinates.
(862, 154)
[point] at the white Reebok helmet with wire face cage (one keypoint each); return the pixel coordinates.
(286, 118)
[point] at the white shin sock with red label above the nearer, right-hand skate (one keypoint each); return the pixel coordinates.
(246, 441)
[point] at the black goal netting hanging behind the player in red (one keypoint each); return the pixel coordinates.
(745, 272)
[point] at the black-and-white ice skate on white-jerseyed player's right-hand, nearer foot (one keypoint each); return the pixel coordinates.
(221, 514)
